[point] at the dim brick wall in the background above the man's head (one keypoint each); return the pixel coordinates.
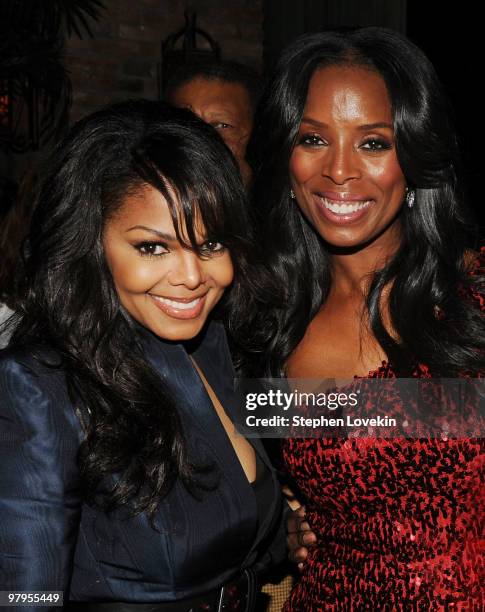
(121, 60)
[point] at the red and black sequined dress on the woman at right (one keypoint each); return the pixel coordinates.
(399, 521)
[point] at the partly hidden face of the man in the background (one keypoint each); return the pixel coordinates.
(226, 106)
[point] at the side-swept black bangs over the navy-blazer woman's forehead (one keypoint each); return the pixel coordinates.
(199, 180)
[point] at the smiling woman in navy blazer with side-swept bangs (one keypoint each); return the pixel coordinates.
(122, 482)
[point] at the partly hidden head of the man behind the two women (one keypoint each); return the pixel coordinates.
(223, 94)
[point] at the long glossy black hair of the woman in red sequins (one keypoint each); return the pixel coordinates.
(428, 272)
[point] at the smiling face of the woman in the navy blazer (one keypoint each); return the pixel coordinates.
(165, 286)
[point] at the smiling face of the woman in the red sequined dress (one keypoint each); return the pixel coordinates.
(344, 168)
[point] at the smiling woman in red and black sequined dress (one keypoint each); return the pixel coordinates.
(365, 233)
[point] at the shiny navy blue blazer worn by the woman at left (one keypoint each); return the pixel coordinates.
(51, 540)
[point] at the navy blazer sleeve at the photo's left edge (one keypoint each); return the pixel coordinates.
(40, 501)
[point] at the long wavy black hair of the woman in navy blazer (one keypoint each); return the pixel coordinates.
(70, 303)
